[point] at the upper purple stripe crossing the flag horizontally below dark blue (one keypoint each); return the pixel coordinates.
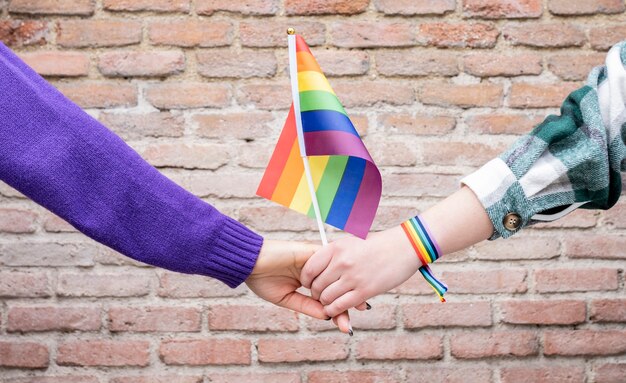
(335, 143)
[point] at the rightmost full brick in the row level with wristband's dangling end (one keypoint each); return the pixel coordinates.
(566, 280)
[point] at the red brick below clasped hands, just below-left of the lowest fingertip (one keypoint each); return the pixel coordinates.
(278, 350)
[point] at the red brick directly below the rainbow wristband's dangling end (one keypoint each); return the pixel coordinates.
(461, 314)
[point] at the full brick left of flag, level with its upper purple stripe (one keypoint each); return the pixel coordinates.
(188, 156)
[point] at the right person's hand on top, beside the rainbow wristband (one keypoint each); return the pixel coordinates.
(351, 270)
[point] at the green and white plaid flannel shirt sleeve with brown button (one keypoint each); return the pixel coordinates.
(568, 161)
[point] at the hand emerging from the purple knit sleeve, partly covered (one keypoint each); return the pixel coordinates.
(276, 277)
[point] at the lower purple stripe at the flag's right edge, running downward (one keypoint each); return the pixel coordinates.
(366, 203)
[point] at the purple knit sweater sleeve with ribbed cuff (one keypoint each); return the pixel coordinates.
(61, 158)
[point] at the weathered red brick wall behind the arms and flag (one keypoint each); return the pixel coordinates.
(200, 89)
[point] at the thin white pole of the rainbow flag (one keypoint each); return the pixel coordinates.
(295, 95)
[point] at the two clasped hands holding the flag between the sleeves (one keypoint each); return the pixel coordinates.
(341, 275)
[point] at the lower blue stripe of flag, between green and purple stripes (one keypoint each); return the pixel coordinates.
(346, 193)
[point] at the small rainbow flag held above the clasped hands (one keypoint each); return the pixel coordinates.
(346, 181)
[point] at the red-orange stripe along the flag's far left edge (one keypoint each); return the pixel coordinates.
(279, 157)
